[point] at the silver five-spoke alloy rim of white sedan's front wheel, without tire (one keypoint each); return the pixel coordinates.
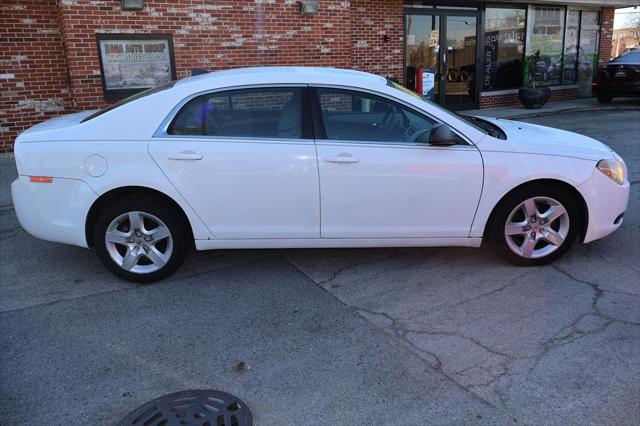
(537, 227)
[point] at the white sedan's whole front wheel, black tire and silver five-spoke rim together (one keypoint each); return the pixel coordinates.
(534, 226)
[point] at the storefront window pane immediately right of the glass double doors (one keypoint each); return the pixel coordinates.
(503, 48)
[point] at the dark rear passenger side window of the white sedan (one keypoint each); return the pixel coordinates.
(260, 113)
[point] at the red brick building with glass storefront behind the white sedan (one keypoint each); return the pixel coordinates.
(50, 60)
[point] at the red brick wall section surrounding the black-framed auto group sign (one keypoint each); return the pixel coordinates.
(211, 35)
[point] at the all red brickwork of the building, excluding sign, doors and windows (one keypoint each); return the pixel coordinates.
(49, 61)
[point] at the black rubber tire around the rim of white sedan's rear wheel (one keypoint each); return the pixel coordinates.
(173, 220)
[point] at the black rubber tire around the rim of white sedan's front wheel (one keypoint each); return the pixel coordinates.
(495, 232)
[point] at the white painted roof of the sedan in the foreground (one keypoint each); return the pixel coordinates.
(279, 75)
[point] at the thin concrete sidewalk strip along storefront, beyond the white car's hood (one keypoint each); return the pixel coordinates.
(556, 107)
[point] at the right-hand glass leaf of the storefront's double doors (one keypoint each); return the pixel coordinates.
(459, 62)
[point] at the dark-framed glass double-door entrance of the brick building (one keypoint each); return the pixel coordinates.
(440, 56)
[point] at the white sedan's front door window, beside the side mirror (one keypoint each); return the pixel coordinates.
(357, 116)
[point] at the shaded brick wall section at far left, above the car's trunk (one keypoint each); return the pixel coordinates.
(33, 71)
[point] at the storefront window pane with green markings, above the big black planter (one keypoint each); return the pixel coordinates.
(545, 33)
